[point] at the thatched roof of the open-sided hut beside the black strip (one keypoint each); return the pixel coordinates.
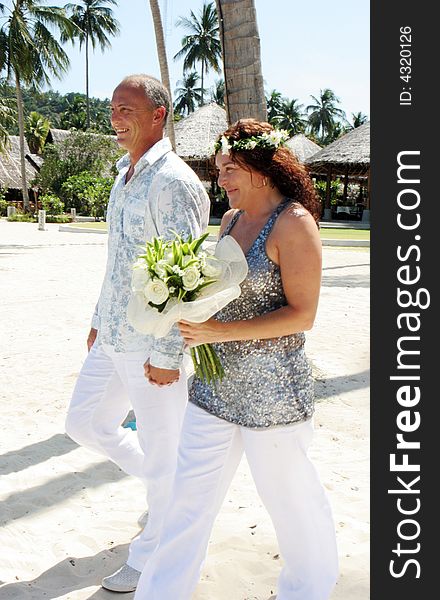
(348, 154)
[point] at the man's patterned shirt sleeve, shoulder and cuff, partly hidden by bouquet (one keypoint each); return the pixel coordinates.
(183, 207)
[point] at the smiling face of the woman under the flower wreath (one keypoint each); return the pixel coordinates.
(239, 183)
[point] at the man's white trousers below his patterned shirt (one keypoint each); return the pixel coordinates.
(109, 382)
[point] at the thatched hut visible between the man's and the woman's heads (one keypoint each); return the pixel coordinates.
(196, 134)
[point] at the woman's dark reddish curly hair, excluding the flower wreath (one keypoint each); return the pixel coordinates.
(279, 164)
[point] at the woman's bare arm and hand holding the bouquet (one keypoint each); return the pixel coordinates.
(295, 245)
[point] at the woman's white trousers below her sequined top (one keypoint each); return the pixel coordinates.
(288, 484)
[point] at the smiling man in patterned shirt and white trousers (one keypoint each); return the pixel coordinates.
(154, 193)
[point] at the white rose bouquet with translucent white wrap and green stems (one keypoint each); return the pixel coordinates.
(177, 280)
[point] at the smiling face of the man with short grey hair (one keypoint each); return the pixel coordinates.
(136, 123)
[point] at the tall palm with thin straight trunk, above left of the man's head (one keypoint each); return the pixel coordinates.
(95, 22)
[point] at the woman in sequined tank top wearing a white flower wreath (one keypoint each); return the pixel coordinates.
(264, 404)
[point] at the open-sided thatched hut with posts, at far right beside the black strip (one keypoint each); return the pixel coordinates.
(349, 157)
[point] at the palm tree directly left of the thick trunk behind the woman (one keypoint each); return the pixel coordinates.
(202, 45)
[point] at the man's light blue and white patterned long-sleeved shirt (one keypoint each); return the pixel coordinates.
(164, 193)
